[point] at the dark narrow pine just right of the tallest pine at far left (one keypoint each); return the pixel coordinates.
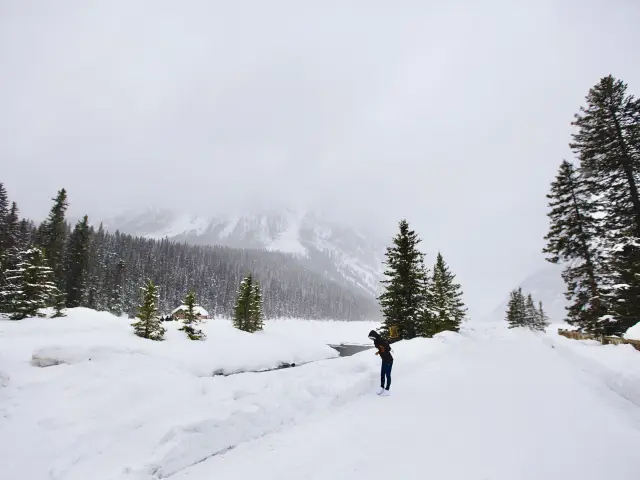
(76, 264)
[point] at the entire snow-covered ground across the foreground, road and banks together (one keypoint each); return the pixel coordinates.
(489, 403)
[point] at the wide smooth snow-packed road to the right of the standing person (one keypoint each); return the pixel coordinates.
(498, 406)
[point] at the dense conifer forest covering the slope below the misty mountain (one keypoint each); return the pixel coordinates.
(213, 273)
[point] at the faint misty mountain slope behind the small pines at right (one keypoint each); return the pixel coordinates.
(545, 285)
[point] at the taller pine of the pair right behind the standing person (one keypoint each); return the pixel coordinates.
(402, 302)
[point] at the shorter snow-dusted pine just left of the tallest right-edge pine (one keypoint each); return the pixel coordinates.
(572, 238)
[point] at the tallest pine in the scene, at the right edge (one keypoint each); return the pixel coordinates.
(608, 145)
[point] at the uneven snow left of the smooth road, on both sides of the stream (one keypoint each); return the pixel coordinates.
(88, 399)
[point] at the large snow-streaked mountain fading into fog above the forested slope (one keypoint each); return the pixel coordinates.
(340, 252)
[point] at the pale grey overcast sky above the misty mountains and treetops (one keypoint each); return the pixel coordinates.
(454, 115)
